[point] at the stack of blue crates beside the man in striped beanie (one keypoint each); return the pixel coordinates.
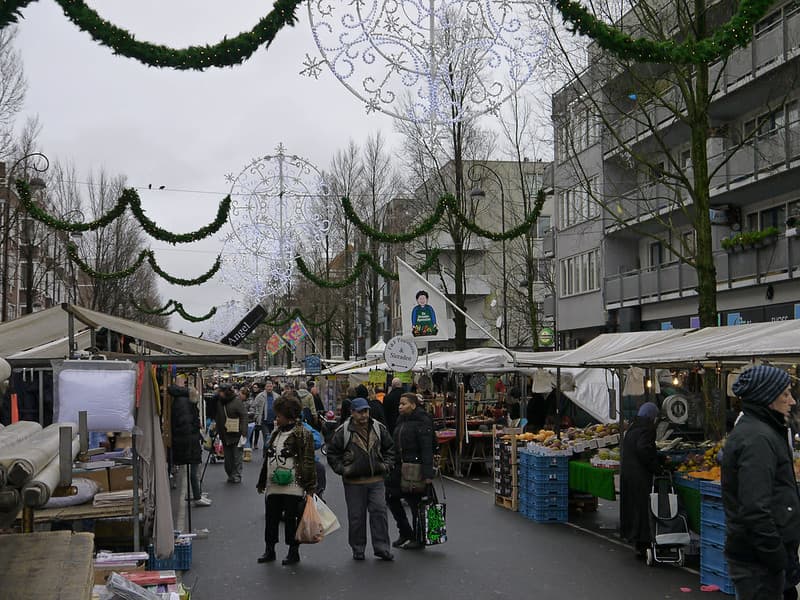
(713, 566)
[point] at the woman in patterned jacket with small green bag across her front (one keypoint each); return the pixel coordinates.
(288, 474)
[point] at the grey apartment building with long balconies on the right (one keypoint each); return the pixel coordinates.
(621, 224)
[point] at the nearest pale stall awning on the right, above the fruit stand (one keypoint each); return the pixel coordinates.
(735, 342)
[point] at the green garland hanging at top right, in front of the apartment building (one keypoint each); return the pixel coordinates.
(736, 33)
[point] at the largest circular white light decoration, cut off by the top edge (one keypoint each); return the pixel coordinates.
(411, 58)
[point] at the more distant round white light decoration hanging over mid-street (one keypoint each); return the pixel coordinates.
(279, 211)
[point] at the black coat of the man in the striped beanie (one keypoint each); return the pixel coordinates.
(759, 489)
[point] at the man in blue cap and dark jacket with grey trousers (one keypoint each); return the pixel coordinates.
(362, 452)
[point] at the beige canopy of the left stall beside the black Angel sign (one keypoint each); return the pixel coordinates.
(37, 338)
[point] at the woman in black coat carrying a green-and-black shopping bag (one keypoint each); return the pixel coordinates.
(416, 445)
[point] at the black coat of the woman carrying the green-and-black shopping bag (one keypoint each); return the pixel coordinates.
(414, 442)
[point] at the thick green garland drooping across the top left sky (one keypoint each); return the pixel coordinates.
(227, 53)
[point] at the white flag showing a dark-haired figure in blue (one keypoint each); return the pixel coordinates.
(423, 306)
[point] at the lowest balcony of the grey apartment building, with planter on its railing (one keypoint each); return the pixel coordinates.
(775, 262)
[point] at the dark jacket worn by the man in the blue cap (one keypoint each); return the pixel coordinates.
(359, 461)
